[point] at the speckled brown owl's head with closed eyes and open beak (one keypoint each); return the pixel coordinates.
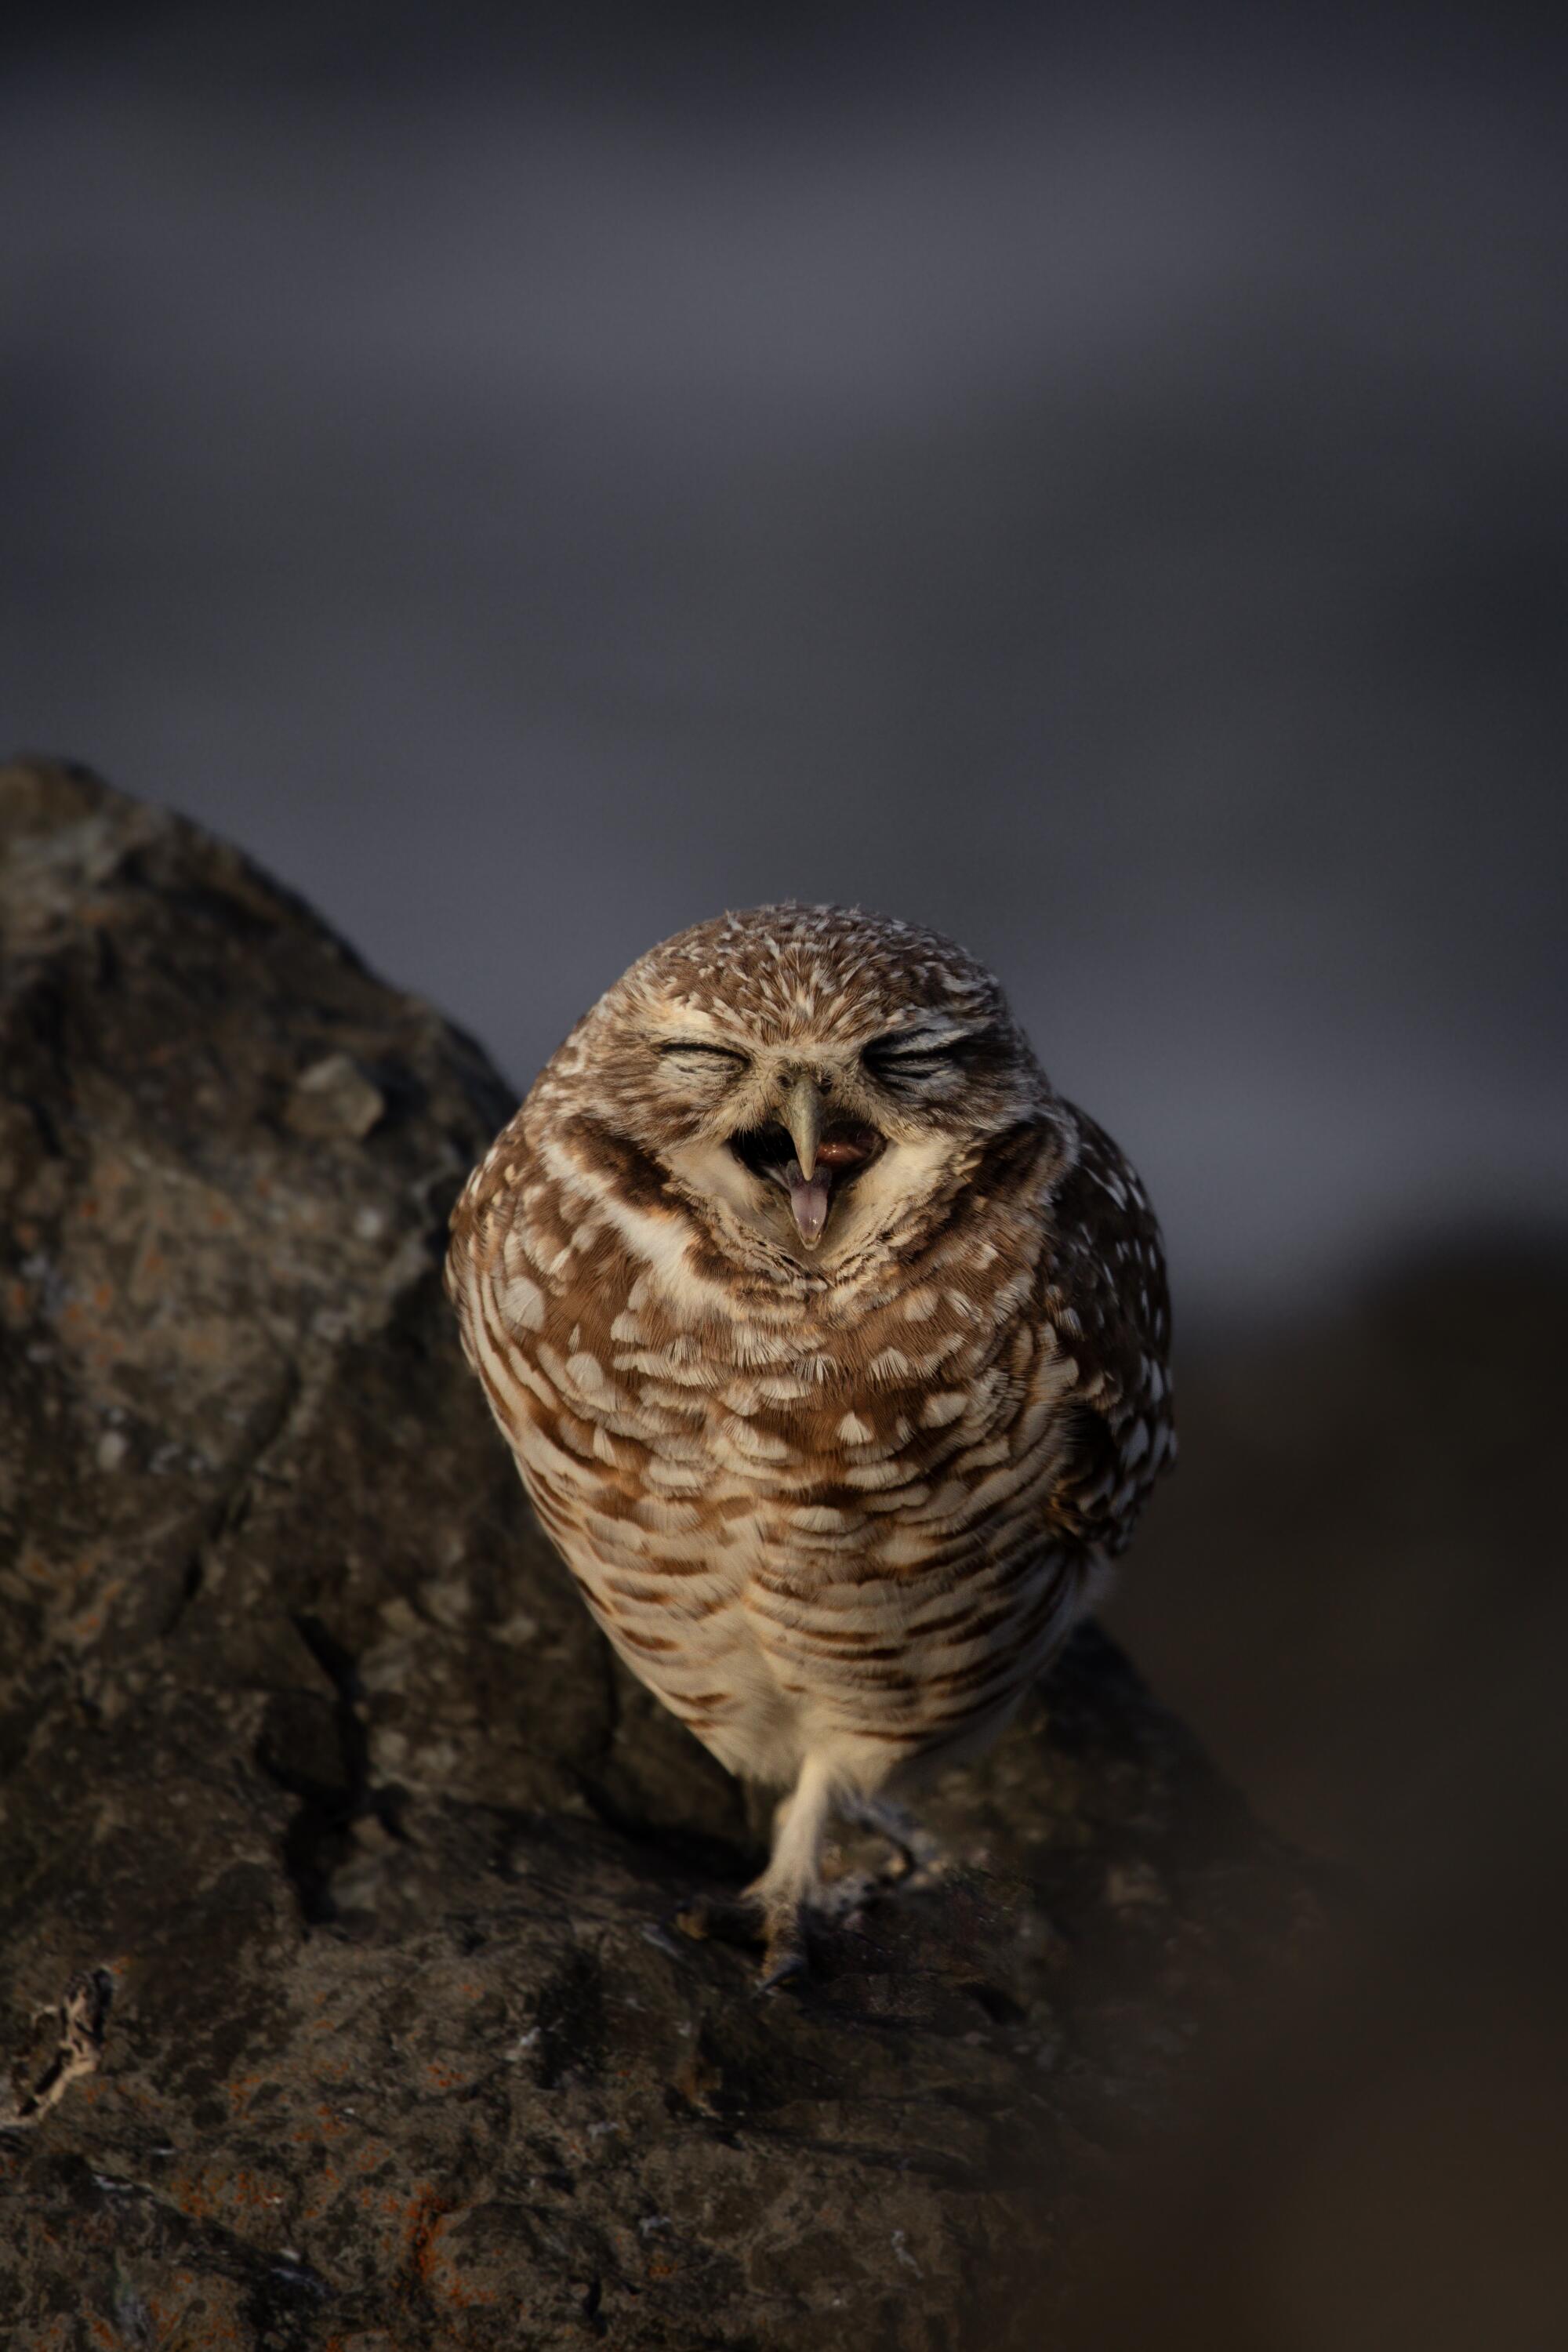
(808, 1076)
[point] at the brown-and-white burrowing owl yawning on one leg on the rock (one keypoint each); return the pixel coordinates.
(831, 1344)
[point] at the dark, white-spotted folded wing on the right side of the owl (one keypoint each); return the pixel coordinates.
(1106, 1297)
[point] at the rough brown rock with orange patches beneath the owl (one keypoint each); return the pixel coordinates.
(316, 1760)
